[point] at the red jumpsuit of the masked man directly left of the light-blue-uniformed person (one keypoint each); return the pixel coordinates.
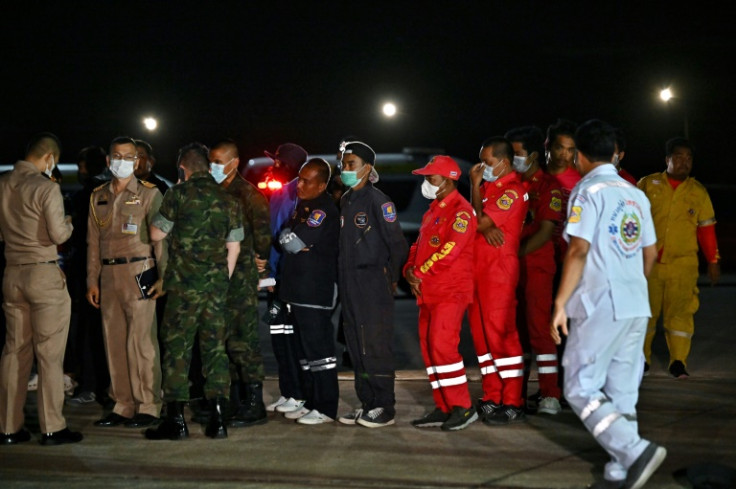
(536, 274)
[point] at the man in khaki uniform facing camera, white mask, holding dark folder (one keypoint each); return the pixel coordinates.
(119, 248)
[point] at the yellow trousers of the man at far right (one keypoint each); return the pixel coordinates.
(673, 293)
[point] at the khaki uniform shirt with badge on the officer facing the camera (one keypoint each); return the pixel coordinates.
(118, 226)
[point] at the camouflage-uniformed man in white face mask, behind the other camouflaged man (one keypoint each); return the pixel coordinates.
(243, 344)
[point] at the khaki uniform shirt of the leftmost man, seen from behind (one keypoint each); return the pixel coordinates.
(32, 219)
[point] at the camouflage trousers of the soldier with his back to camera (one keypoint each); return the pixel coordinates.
(187, 313)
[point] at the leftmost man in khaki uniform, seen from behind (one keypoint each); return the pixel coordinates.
(36, 302)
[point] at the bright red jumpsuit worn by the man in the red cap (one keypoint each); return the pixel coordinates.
(442, 258)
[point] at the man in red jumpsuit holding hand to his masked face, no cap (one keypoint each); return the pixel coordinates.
(500, 204)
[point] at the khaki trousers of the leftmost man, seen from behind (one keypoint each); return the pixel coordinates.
(37, 309)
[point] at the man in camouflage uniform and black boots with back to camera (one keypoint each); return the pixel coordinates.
(206, 231)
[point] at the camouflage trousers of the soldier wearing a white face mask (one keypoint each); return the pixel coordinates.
(243, 342)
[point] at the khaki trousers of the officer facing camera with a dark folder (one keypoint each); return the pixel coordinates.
(131, 342)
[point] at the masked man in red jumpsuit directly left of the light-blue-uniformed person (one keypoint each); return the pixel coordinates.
(537, 263)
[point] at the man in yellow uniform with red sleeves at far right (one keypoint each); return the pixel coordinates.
(683, 218)
